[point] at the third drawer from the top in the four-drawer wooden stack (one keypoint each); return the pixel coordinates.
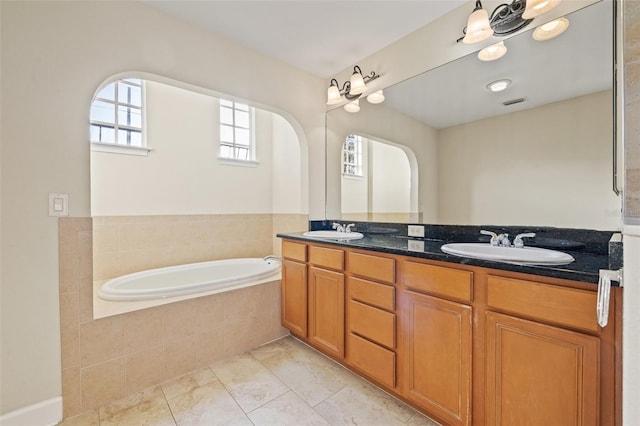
(373, 323)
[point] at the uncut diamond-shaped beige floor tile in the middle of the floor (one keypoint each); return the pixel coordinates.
(248, 381)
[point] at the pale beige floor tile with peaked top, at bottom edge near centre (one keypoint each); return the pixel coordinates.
(285, 410)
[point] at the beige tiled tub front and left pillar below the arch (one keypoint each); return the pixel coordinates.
(108, 359)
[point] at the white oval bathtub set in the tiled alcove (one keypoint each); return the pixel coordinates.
(180, 280)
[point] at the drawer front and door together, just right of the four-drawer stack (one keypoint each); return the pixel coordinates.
(436, 329)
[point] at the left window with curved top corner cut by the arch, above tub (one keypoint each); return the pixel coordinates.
(116, 114)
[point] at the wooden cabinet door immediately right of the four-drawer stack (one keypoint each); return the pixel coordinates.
(436, 339)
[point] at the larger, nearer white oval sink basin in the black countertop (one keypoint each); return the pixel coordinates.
(524, 255)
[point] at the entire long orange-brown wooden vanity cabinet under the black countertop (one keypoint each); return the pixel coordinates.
(463, 344)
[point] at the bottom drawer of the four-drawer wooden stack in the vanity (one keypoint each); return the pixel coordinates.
(371, 359)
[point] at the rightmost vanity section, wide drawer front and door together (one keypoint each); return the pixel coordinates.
(542, 355)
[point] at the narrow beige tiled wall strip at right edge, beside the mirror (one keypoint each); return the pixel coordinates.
(632, 111)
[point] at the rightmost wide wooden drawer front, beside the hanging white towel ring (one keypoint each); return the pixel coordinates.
(558, 305)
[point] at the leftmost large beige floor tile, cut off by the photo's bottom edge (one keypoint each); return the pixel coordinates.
(148, 407)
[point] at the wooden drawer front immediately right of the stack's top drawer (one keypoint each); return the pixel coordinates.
(438, 280)
